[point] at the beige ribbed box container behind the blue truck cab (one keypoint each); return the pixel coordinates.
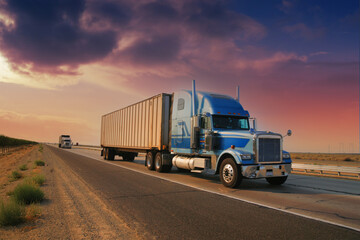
(141, 126)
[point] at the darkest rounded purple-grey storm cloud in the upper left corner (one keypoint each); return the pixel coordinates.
(48, 33)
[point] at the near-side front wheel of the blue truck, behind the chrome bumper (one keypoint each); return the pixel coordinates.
(230, 173)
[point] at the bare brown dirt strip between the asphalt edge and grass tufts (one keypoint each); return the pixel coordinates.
(71, 209)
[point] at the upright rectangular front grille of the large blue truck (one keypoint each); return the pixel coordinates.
(269, 150)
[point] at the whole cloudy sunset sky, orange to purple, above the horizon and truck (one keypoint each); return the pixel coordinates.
(65, 63)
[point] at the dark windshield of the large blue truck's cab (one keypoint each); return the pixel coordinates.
(231, 122)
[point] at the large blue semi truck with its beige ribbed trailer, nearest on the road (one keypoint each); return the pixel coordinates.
(196, 131)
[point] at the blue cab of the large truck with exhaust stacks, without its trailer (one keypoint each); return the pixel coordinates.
(211, 132)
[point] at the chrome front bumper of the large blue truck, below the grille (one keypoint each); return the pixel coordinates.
(264, 171)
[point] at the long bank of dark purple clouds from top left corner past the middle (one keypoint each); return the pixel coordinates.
(49, 34)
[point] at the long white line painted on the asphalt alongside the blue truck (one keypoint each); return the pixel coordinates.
(236, 198)
